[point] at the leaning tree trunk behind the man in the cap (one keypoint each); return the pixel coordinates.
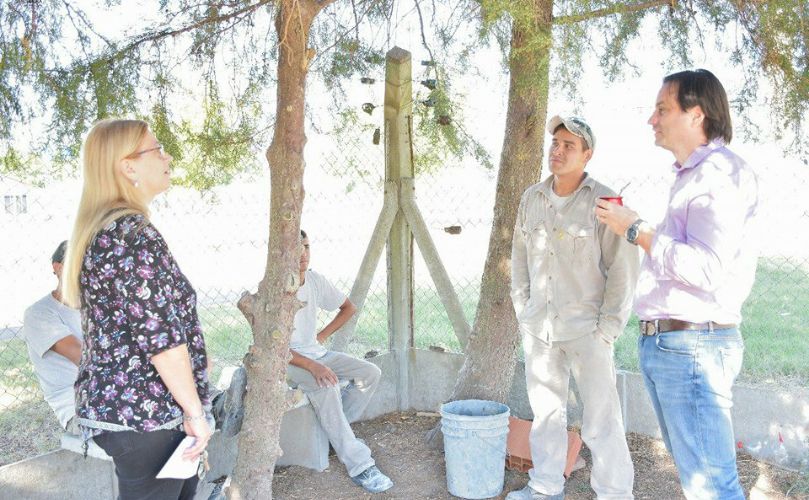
(488, 370)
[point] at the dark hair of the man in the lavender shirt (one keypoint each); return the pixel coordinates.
(701, 88)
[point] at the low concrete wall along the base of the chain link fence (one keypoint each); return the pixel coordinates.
(759, 415)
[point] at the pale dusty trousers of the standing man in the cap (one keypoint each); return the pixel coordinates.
(547, 372)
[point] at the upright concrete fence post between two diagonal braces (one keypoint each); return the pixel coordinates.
(398, 165)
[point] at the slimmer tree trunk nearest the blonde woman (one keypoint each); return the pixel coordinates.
(272, 309)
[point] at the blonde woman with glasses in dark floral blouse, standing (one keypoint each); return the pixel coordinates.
(142, 380)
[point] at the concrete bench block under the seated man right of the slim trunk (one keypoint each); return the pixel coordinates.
(303, 441)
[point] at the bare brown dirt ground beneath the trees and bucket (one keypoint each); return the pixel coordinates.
(397, 442)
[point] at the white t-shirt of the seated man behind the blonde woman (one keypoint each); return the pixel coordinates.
(46, 322)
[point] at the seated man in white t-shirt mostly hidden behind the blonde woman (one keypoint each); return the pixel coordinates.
(53, 334)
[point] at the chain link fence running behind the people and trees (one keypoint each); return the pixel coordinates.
(219, 239)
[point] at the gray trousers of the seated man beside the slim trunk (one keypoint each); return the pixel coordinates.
(336, 409)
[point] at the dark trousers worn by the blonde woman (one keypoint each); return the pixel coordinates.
(138, 457)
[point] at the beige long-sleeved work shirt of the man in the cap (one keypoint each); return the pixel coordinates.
(570, 275)
